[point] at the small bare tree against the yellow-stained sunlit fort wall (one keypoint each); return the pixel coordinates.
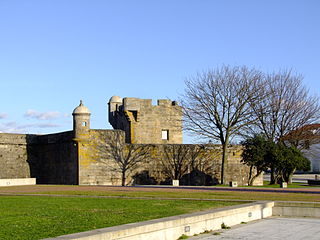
(126, 156)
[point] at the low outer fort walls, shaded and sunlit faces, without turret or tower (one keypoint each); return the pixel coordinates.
(58, 159)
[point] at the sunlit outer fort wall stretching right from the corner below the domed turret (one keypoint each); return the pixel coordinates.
(98, 167)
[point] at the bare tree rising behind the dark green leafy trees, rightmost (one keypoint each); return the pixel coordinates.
(286, 107)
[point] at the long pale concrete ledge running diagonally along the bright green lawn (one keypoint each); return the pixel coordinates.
(173, 227)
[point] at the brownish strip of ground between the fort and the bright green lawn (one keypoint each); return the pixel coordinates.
(161, 193)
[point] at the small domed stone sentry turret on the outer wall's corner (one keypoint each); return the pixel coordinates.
(81, 121)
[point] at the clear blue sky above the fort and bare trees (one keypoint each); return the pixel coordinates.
(55, 52)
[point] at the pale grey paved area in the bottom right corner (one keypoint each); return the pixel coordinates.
(271, 229)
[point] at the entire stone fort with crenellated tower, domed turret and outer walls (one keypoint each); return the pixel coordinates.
(82, 156)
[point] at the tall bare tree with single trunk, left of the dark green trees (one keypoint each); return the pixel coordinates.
(216, 104)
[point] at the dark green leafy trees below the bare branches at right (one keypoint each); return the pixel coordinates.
(263, 153)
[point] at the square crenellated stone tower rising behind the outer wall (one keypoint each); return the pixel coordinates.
(145, 123)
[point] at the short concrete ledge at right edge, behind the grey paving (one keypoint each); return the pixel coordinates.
(296, 209)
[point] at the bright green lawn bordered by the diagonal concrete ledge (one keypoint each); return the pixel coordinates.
(37, 217)
